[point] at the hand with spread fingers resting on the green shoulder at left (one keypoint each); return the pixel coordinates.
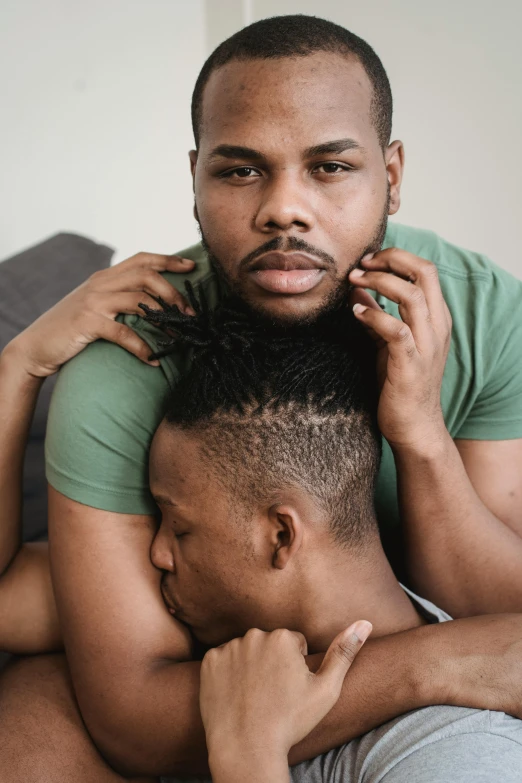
(88, 313)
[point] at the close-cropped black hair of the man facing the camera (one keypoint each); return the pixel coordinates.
(299, 35)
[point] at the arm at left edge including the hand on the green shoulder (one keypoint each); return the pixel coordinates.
(28, 617)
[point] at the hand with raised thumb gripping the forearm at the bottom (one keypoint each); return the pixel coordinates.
(257, 692)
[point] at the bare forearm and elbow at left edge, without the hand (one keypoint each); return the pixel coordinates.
(28, 619)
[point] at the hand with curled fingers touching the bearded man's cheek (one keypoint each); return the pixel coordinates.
(412, 352)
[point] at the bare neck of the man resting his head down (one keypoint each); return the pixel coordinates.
(341, 587)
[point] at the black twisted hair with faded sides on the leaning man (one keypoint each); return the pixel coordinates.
(278, 406)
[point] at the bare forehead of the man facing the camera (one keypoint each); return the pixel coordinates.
(320, 90)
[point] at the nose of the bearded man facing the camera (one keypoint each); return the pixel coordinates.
(285, 205)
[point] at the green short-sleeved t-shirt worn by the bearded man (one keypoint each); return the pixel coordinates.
(107, 404)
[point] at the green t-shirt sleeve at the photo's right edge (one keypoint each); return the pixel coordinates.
(496, 413)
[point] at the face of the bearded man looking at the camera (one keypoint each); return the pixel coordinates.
(292, 188)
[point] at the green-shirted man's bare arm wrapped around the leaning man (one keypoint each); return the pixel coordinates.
(140, 700)
